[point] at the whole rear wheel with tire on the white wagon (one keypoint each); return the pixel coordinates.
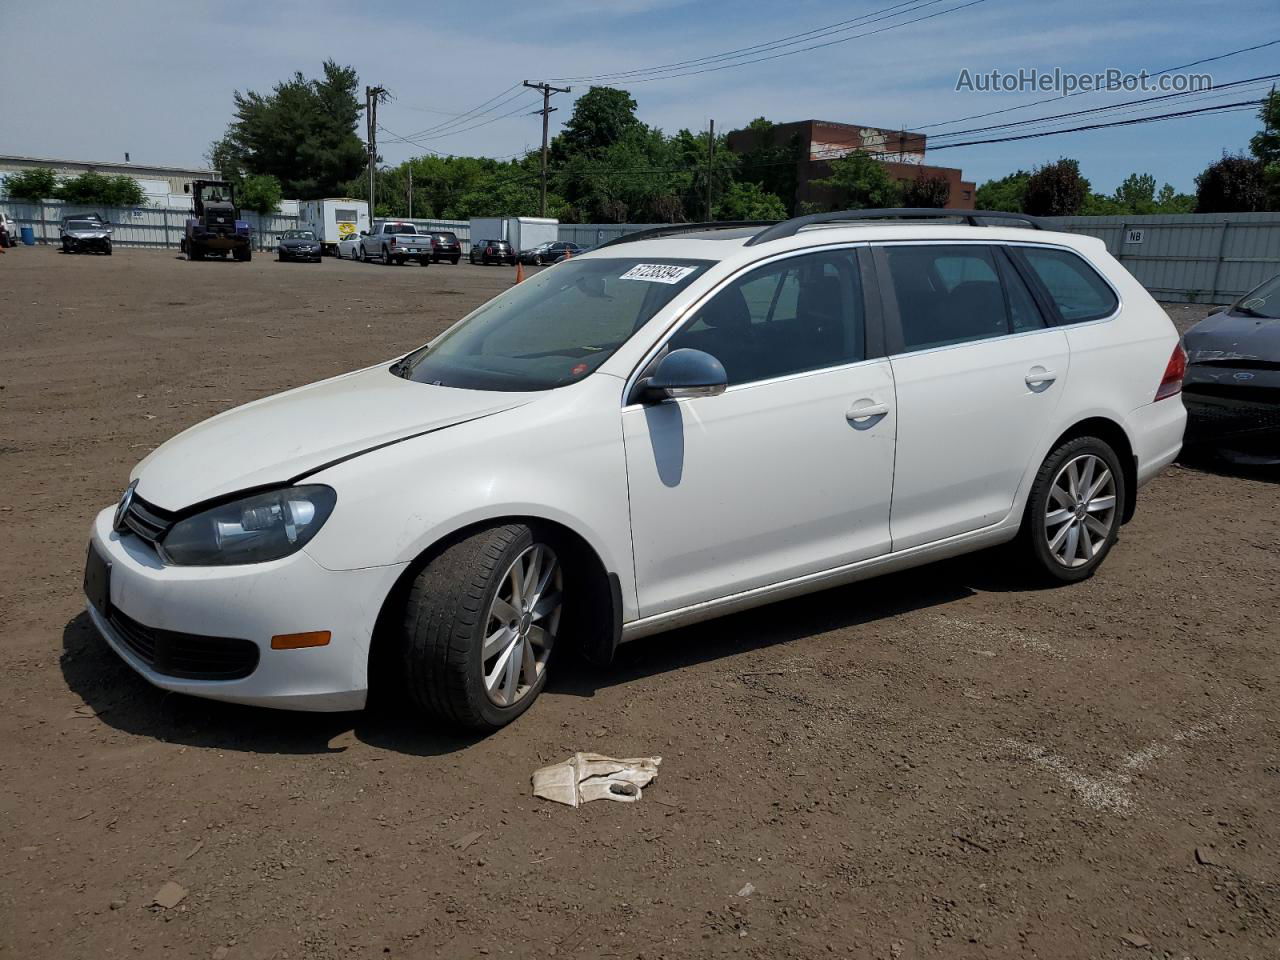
(1075, 510)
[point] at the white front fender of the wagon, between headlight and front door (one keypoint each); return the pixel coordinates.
(559, 459)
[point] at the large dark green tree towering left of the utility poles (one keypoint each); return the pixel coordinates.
(304, 134)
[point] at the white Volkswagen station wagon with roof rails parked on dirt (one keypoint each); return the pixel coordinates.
(678, 426)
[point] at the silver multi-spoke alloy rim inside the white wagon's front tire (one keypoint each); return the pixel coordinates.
(522, 625)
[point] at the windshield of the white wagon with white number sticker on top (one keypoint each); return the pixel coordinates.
(555, 328)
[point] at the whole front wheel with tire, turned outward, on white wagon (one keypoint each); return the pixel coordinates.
(481, 624)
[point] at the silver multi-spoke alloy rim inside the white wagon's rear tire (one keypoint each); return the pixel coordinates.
(1082, 510)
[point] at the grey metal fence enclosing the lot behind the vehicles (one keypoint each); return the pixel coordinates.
(1187, 258)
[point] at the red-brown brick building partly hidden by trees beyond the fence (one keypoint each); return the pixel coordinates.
(822, 141)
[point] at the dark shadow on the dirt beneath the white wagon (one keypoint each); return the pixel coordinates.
(126, 702)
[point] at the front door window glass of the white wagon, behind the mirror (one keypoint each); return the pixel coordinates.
(794, 316)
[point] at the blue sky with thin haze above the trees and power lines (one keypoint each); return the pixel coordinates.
(93, 81)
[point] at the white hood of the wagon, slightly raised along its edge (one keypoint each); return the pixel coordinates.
(292, 435)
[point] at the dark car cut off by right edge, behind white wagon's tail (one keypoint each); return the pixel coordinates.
(1232, 388)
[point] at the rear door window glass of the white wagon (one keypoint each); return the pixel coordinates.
(953, 294)
